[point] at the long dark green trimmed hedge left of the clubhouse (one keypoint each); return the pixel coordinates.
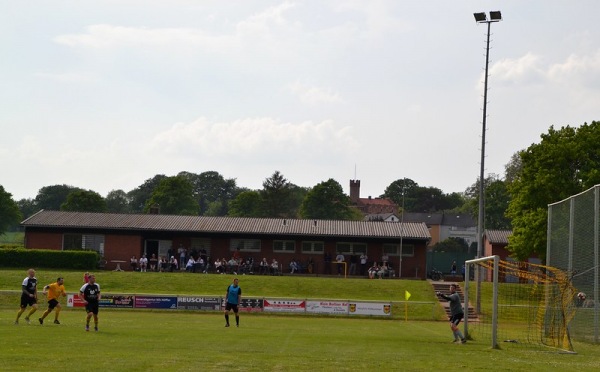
(48, 259)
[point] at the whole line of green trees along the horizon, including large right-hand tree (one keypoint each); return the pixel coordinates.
(565, 162)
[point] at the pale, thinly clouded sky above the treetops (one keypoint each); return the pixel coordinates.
(104, 95)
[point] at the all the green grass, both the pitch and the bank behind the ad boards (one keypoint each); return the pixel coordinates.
(147, 340)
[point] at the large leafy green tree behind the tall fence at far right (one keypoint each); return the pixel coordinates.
(565, 162)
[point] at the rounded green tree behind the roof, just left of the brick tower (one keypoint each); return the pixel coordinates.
(327, 201)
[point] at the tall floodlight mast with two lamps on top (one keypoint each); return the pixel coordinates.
(495, 16)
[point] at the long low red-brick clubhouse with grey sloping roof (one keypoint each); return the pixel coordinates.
(118, 237)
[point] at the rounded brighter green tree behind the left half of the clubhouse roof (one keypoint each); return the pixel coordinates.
(174, 195)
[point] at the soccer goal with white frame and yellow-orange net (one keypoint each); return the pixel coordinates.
(521, 304)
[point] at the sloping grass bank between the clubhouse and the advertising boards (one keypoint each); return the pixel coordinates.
(421, 306)
